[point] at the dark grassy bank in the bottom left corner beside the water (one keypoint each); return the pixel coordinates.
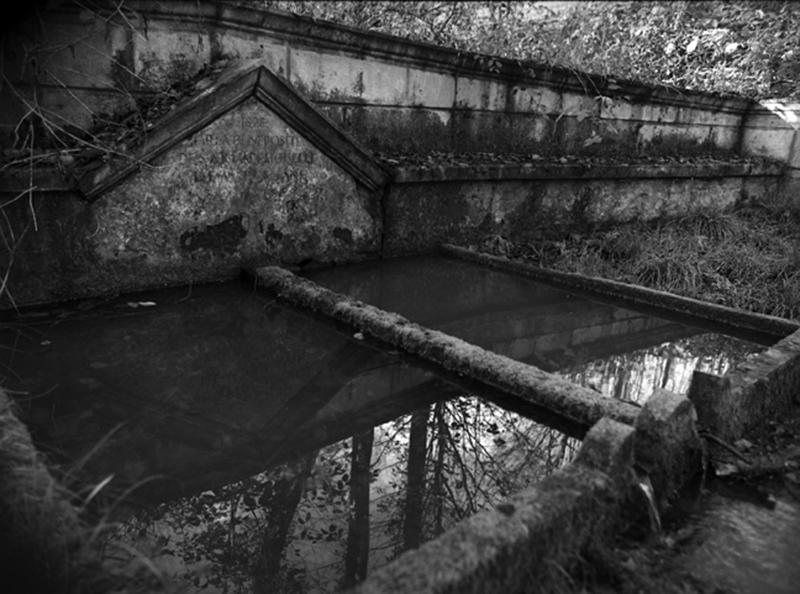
(47, 541)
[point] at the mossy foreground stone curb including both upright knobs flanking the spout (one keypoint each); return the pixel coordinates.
(569, 513)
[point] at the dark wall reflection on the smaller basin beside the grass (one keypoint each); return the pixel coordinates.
(518, 317)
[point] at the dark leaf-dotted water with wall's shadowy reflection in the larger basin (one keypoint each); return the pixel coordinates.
(188, 386)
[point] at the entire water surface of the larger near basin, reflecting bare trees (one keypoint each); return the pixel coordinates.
(253, 447)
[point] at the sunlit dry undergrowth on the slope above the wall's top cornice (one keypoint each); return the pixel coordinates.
(747, 48)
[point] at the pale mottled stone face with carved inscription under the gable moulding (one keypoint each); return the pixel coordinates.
(266, 187)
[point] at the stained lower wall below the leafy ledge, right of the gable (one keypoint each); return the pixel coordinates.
(423, 210)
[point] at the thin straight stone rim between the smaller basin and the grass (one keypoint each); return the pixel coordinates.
(764, 326)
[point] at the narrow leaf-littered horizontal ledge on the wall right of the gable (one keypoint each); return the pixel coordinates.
(559, 171)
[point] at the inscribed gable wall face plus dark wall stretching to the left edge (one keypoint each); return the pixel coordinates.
(246, 189)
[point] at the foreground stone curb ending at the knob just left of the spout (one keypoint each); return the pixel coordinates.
(532, 537)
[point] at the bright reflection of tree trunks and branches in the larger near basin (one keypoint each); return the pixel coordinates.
(321, 521)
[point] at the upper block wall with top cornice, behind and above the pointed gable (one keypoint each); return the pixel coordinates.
(390, 93)
